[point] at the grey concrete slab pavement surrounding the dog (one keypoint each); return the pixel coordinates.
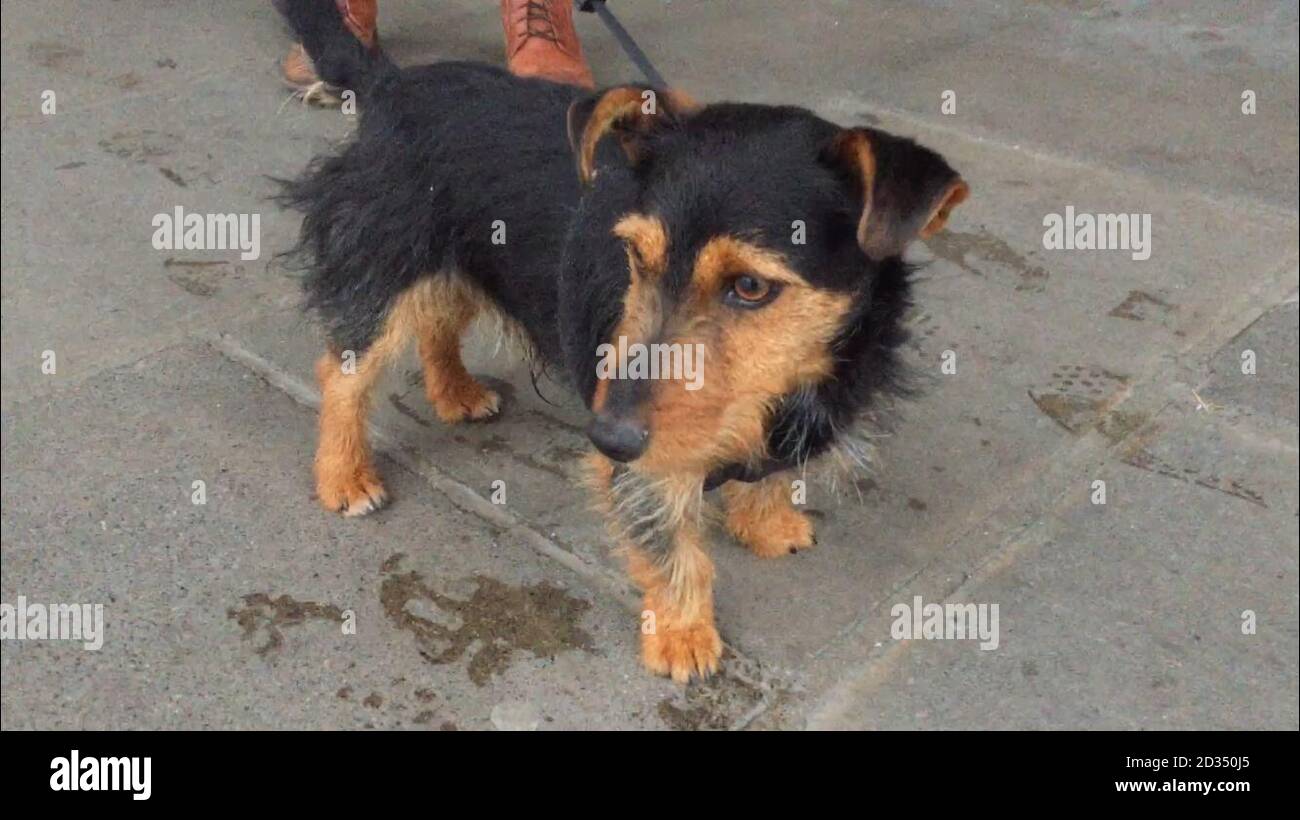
(1171, 380)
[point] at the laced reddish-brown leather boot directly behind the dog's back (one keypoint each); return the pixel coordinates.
(541, 42)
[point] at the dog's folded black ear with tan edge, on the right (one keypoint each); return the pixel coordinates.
(908, 192)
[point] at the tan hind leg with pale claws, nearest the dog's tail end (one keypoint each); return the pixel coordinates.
(346, 480)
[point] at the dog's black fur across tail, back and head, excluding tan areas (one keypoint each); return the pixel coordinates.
(445, 151)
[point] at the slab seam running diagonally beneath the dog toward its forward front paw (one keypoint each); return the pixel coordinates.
(740, 667)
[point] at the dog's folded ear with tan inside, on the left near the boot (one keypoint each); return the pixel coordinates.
(627, 112)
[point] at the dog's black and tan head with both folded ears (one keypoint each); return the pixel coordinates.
(734, 287)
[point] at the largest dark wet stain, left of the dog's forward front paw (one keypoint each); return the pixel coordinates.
(492, 626)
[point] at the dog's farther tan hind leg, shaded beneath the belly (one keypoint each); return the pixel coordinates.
(454, 393)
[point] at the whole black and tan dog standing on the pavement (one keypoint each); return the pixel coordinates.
(762, 236)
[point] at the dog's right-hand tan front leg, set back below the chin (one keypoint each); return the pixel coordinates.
(764, 518)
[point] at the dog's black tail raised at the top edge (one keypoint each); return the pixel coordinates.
(340, 59)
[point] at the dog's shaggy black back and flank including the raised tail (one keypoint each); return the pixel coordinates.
(457, 168)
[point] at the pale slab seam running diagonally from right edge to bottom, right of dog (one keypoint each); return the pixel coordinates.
(1154, 392)
